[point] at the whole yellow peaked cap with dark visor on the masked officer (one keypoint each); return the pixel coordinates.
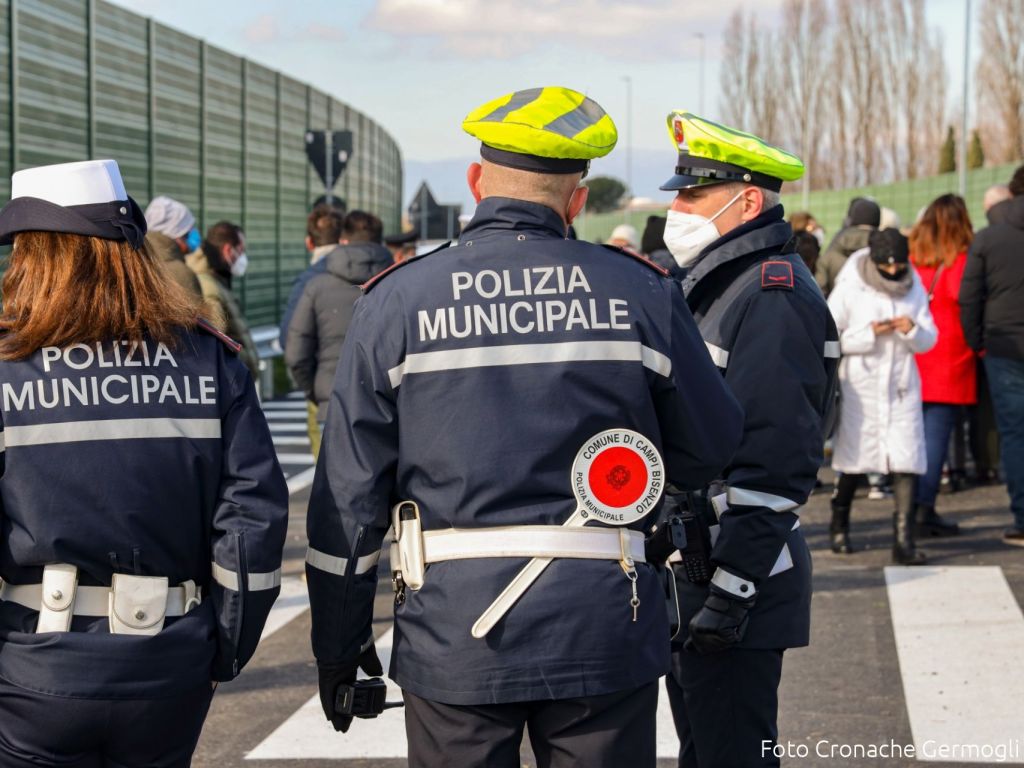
(712, 154)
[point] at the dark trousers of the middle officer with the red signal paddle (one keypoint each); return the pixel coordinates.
(610, 732)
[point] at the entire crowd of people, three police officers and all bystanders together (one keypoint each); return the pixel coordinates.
(647, 426)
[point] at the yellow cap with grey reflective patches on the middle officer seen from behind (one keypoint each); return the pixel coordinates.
(545, 131)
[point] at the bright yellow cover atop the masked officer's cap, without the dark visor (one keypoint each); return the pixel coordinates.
(702, 139)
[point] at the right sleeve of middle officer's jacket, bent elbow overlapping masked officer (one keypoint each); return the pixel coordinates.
(701, 420)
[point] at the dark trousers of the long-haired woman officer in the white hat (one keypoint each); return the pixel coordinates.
(38, 731)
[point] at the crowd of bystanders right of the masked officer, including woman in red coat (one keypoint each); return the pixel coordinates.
(932, 336)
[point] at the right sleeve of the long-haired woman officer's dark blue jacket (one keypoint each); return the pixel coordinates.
(250, 523)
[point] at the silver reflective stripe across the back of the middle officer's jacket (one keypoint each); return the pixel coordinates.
(525, 355)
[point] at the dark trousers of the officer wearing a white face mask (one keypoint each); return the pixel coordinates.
(726, 707)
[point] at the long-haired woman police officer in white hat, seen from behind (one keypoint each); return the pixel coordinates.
(143, 510)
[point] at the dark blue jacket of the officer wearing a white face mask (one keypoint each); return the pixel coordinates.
(770, 330)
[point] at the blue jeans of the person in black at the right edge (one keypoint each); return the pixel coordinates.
(1006, 381)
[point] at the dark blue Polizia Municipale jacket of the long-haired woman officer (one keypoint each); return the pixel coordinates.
(144, 460)
